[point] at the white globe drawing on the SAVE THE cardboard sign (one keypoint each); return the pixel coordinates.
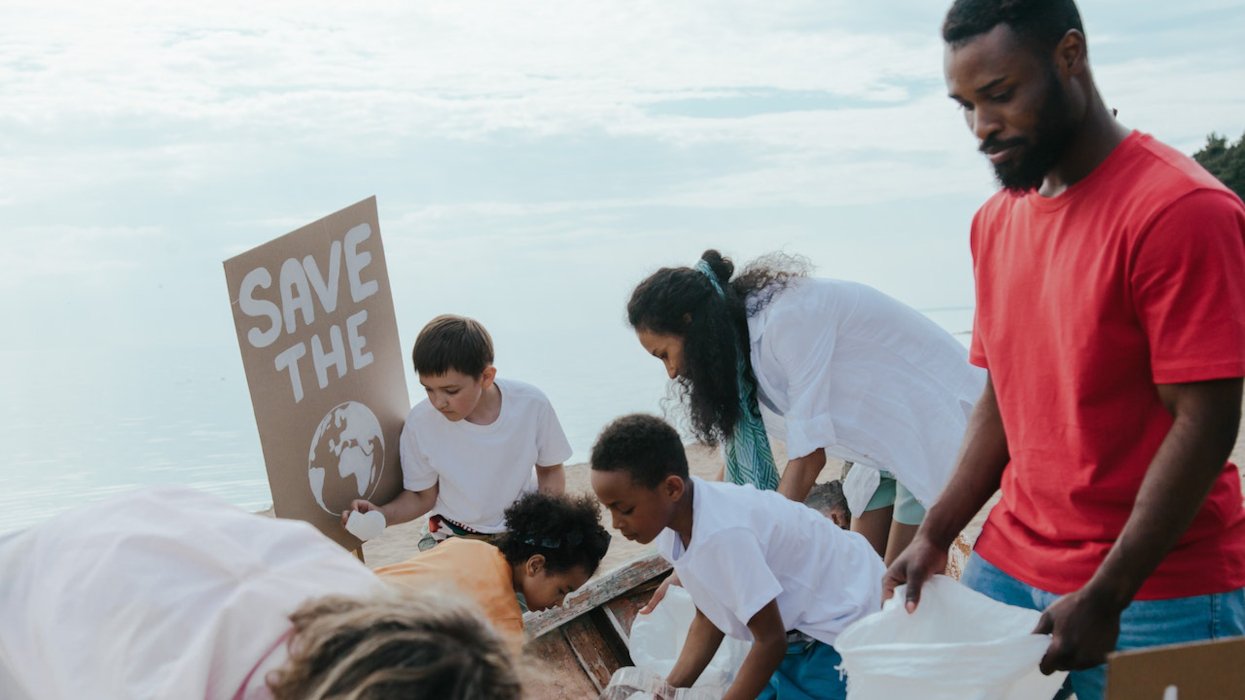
(348, 456)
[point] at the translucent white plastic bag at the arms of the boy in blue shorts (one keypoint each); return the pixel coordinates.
(658, 638)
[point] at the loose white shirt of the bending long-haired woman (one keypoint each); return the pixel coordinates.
(867, 378)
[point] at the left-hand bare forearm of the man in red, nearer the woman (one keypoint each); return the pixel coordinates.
(978, 474)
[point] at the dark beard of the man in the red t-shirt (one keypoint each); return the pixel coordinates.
(1038, 156)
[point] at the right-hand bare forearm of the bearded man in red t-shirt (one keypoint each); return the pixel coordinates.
(1190, 460)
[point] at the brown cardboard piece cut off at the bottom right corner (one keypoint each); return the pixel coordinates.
(1205, 671)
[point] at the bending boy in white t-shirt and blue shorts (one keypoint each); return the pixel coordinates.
(758, 566)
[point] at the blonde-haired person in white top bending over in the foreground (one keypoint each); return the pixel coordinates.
(172, 594)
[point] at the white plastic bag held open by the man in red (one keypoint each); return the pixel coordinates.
(958, 646)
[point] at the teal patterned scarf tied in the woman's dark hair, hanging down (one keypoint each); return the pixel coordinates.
(749, 459)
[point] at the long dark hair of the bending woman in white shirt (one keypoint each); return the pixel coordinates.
(715, 329)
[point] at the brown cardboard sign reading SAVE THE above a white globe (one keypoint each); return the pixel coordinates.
(319, 343)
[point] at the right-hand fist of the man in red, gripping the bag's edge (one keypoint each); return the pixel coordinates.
(1084, 630)
